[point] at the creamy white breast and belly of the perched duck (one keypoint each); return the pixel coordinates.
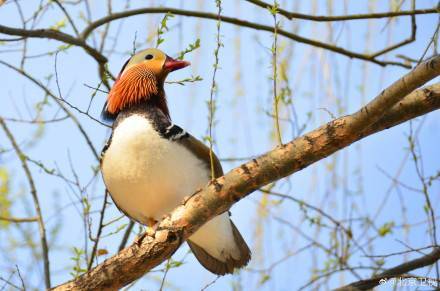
(147, 175)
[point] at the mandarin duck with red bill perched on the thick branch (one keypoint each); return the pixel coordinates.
(149, 164)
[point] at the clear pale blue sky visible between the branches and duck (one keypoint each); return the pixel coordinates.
(350, 184)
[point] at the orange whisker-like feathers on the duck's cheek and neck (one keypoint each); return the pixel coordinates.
(136, 84)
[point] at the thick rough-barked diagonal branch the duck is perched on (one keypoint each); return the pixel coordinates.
(393, 106)
